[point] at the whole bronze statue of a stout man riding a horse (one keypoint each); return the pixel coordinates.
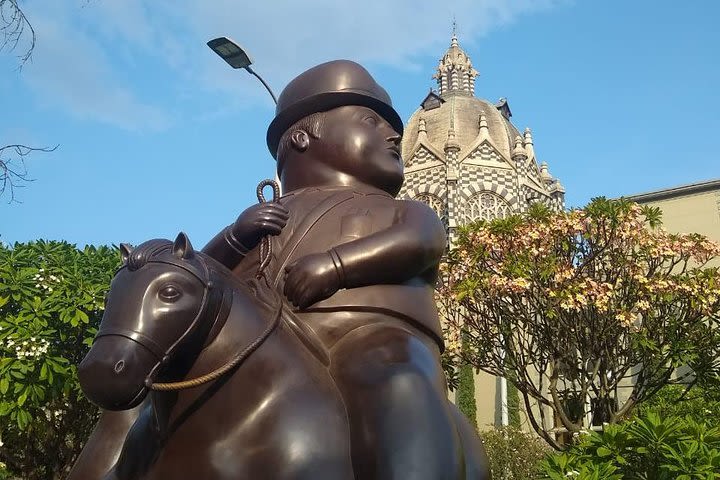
(351, 272)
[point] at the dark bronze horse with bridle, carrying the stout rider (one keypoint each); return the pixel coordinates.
(181, 402)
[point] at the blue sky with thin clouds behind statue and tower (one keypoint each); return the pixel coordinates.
(156, 134)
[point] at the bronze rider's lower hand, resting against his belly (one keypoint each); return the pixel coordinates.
(310, 279)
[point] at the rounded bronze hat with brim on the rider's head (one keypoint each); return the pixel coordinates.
(327, 86)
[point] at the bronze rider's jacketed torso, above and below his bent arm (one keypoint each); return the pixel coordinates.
(322, 219)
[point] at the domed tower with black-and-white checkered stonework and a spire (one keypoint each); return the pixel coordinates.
(465, 158)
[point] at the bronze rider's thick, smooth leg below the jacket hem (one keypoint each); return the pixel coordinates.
(394, 389)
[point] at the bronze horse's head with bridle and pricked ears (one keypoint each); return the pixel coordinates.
(160, 309)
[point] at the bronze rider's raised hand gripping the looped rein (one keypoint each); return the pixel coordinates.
(259, 220)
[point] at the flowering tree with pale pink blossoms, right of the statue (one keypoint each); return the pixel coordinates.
(587, 312)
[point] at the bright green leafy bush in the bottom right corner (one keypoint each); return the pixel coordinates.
(647, 447)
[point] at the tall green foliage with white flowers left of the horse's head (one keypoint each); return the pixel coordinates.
(51, 302)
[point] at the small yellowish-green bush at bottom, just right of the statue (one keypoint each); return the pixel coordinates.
(513, 454)
